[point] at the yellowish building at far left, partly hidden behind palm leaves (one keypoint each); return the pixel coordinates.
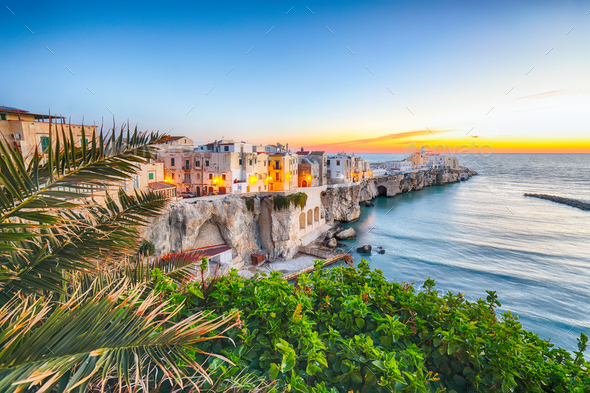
(28, 131)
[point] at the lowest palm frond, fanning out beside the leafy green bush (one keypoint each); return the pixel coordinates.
(119, 335)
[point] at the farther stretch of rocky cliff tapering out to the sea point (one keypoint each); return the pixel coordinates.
(342, 203)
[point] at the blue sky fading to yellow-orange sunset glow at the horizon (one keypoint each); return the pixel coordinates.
(371, 76)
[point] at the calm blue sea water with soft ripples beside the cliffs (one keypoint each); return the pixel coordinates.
(483, 234)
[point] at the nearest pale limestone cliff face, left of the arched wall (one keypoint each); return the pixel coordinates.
(185, 226)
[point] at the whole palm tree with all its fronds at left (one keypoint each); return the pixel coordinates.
(74, 311)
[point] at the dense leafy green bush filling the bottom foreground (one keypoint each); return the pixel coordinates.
(349, 329)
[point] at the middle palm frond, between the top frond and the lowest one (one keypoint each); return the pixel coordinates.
(87, 237)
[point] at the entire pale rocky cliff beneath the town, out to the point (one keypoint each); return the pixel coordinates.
(254, 225)
